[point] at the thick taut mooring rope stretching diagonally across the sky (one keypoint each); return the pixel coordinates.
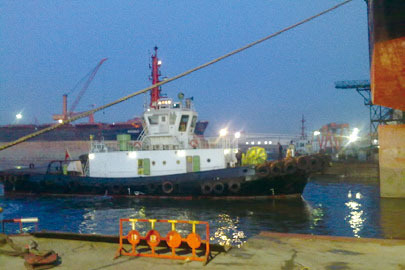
(82, 115)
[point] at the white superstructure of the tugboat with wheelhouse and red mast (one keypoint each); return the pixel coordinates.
(167, 145)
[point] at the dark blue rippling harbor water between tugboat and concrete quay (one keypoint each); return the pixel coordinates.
(335, 207)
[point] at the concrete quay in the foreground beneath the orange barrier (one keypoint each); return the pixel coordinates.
(266, 251)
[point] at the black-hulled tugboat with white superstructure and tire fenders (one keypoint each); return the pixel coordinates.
(169, 160)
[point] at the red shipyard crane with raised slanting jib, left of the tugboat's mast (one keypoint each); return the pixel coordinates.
(67, 114)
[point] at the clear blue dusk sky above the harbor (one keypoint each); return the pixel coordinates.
(46, 47)
